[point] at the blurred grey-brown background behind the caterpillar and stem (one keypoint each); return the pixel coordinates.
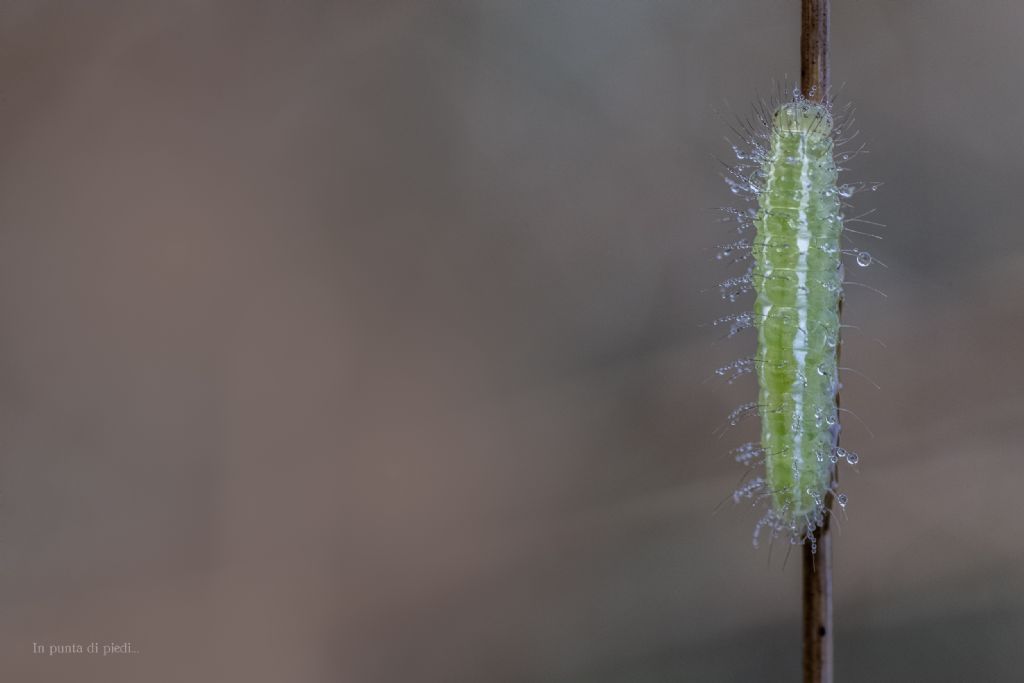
(360, 343)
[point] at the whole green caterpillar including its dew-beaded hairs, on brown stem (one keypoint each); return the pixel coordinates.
(789, 170)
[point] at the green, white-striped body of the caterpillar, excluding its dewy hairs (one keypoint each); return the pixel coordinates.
(799, 282)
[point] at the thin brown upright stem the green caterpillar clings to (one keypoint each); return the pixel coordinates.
(818, 569)
